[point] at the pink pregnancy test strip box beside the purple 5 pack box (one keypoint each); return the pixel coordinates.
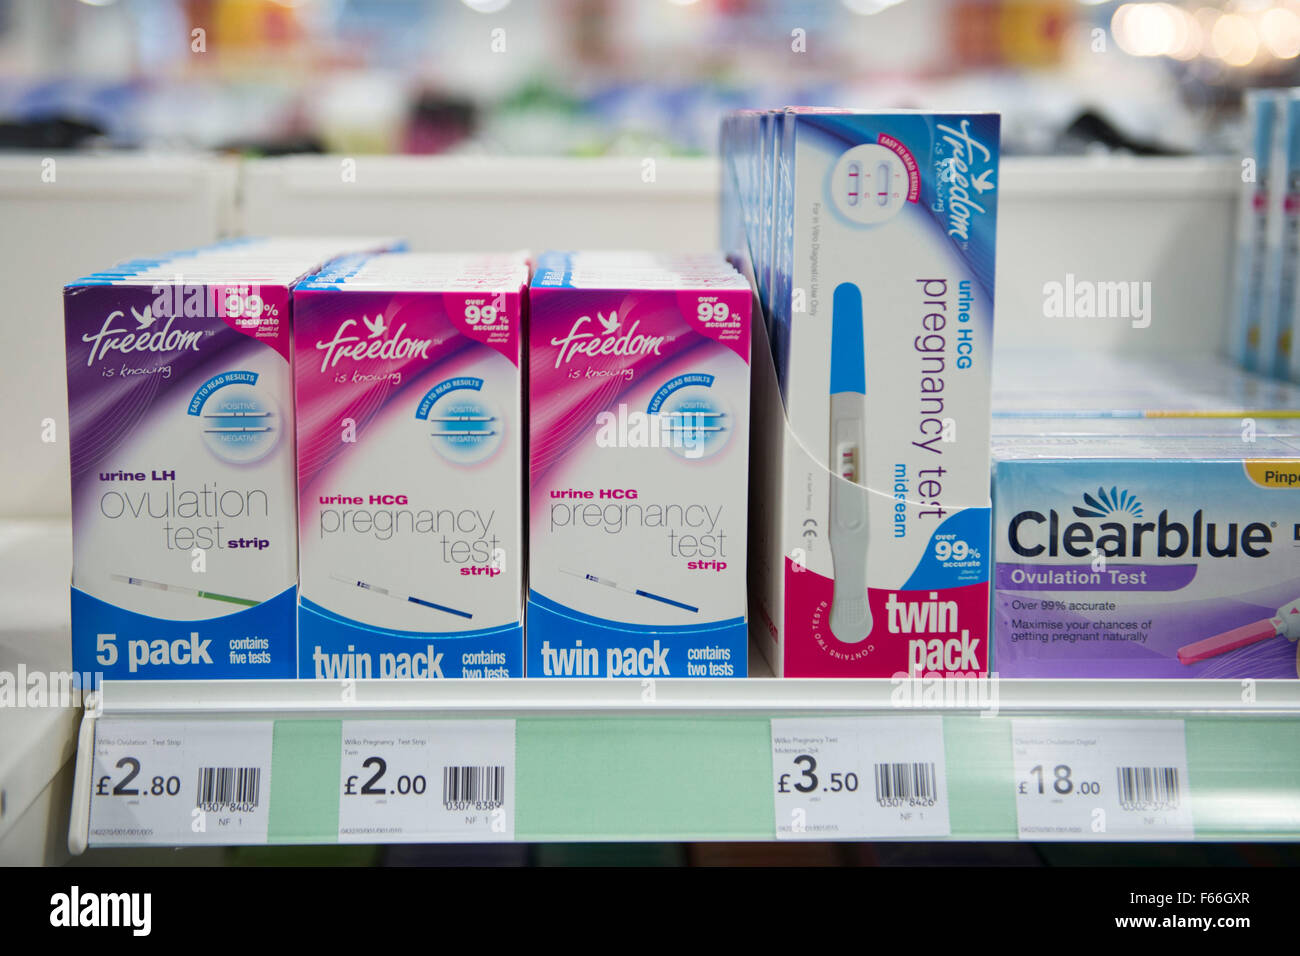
(410, 468)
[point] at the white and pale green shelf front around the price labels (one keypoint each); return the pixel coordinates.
(677, 760)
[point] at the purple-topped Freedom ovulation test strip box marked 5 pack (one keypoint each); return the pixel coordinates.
(185, 553)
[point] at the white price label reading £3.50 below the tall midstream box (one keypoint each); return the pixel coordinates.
(860, 777)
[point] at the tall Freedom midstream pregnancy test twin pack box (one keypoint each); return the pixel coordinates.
(872, 401)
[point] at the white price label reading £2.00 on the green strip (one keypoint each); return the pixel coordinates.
(427, 781)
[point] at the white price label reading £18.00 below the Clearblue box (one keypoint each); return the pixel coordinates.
(1100, 780)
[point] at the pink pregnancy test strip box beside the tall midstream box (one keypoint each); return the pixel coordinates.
(639, 429)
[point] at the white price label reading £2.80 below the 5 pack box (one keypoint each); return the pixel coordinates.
(180, 782)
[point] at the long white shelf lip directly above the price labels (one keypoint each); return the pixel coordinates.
(752, 695)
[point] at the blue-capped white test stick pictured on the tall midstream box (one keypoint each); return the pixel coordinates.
(851, 612)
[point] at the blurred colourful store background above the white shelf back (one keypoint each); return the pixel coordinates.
(621, 77)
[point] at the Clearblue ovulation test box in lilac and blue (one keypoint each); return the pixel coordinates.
(1162, 557)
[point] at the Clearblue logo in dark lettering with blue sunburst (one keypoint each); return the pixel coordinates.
(1112, 529)
